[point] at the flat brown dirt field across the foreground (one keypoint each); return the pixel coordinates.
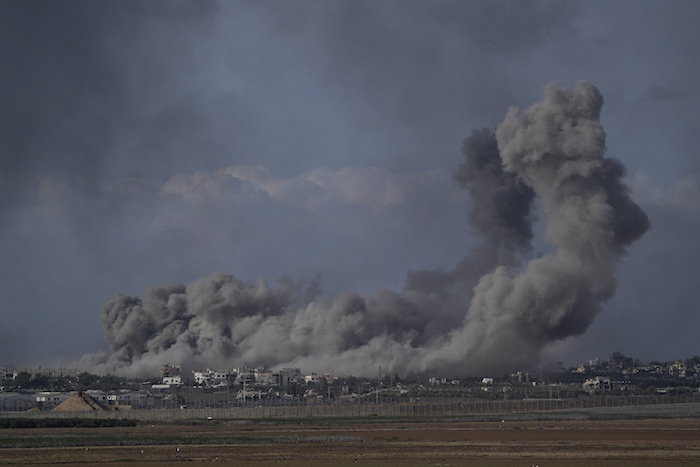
(571, 443)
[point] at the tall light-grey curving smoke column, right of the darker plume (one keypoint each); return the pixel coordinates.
(556, 147)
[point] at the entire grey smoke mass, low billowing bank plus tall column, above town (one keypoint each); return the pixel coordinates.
(494, 311)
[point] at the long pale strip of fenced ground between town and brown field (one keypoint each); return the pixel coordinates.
(676, 406)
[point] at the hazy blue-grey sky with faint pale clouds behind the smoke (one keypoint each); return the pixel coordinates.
(155, 142)
